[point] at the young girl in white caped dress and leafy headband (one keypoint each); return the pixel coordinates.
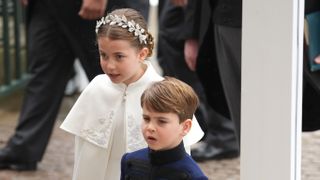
(107, 116)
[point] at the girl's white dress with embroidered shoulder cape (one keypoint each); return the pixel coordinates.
(106, 121)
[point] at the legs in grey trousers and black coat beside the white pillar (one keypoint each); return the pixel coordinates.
(219, 59)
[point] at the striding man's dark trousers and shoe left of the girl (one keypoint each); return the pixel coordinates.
(56, 35)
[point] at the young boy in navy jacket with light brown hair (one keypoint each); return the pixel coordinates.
(168, 107)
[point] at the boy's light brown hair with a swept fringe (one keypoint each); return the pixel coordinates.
(171, 96)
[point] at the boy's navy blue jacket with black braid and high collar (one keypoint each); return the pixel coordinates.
(146, 164)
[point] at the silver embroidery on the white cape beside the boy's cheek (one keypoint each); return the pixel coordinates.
(135, 139)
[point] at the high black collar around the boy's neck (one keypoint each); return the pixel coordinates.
(167, 156)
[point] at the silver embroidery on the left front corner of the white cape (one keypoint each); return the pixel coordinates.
(101, 134)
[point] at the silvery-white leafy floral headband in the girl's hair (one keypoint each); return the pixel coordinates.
(124, 23)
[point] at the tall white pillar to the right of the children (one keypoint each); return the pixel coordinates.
(272, 40)
